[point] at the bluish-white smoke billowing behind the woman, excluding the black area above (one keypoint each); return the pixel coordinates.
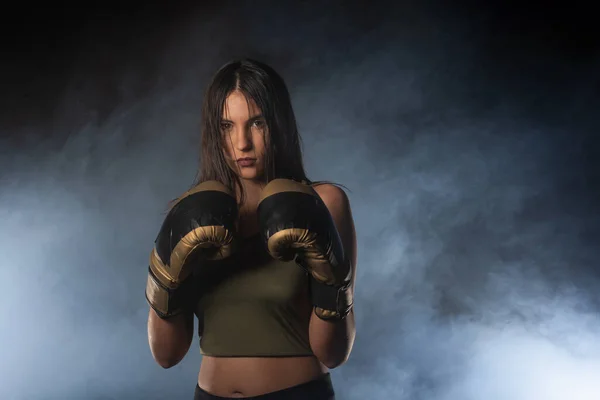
(472, 282)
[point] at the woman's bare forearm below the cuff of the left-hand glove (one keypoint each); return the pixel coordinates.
(170, 339)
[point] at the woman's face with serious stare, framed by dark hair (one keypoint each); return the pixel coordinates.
(243, 129)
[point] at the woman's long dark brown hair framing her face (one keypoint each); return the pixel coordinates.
(262, 84)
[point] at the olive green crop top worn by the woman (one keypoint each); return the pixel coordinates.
(254, 306)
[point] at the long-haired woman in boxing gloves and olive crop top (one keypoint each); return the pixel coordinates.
(262, 256)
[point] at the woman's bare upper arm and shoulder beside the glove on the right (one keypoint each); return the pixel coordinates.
(338, 204)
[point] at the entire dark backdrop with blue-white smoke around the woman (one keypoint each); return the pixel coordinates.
(466, 133)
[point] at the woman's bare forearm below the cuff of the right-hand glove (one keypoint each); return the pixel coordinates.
(332, 341)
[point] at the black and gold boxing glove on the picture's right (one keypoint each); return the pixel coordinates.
(296, 225)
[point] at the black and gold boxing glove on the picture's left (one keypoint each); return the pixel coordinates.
(199, 227)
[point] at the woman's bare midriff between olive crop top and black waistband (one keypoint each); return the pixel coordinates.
(254, 376)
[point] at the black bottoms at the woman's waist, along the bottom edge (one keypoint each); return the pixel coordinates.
(318, 389)
